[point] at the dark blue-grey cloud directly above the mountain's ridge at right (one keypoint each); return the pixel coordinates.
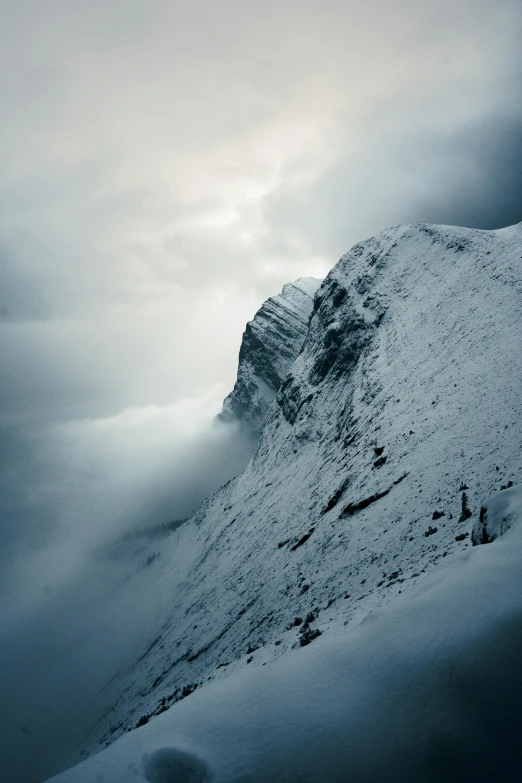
(469, 175)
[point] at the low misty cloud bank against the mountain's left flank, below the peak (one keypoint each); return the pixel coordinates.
(93, 495)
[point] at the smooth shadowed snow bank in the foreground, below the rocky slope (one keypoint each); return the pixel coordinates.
(426, 689)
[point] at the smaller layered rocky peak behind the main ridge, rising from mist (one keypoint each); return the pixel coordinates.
(270, 345)
